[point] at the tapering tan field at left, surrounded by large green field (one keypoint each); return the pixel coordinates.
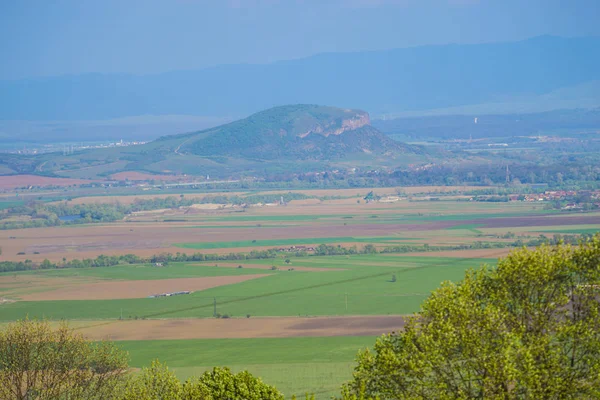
(135, 289)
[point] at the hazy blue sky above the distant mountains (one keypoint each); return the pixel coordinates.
(54, 37)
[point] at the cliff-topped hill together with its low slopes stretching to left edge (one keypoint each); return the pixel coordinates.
(293, 138)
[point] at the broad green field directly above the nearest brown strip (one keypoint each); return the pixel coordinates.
(363, 287)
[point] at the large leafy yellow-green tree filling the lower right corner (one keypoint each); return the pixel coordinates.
(528, 329)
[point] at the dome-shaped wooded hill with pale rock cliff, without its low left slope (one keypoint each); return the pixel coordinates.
(302, 132)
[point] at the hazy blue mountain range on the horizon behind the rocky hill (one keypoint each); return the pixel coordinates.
(384, 82)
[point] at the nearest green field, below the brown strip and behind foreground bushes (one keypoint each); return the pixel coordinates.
(294, 365)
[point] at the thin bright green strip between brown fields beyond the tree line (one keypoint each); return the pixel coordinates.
(289, 242)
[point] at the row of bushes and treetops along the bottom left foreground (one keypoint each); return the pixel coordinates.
(41, 363)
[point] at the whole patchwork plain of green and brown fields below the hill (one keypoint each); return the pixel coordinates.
(292, 317)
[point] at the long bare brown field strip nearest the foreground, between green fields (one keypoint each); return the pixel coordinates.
(236, 328)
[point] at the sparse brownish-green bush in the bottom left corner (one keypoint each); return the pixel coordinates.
(39, 362)
